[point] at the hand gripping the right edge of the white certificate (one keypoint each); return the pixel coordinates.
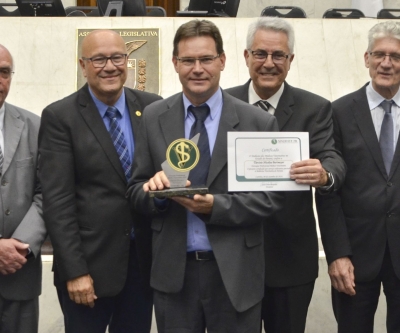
(309, 172)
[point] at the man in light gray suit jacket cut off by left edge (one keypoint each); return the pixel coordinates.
(21, 225)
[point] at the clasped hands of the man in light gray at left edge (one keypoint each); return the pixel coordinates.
(12, 255)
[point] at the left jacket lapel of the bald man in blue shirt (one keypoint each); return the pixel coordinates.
(93, 120)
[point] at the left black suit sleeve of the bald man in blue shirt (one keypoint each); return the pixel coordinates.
(57, 175)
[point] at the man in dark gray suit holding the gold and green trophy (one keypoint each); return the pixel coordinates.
(208, 263)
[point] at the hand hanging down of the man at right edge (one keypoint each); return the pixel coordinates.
(341, 272)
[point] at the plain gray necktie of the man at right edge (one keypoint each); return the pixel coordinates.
(386, 136)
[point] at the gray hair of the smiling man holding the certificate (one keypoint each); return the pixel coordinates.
(271, 23)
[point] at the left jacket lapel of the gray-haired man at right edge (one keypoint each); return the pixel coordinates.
(362, 114)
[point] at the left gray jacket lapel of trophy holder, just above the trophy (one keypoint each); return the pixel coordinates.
(172, 120)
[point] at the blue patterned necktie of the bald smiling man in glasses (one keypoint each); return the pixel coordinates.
(119, 142)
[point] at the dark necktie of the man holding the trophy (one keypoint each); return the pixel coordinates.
(198, 176)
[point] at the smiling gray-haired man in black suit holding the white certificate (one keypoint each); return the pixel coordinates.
(291, 245)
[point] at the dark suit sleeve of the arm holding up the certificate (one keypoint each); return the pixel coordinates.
(322, 145)
